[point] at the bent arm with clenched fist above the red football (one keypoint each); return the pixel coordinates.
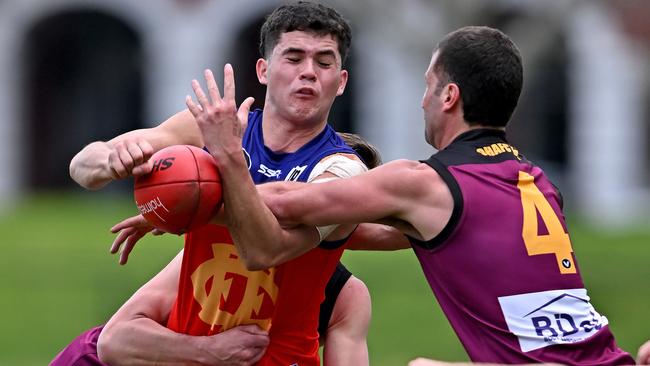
(128, 154)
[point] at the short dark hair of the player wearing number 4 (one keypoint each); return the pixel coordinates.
(486, 66)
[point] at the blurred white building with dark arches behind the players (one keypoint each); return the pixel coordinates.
(73, 71)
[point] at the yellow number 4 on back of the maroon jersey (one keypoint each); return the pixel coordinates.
(556, 241)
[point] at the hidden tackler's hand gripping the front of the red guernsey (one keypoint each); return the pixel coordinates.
(239, 346)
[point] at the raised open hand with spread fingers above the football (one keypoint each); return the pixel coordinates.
(221, 123)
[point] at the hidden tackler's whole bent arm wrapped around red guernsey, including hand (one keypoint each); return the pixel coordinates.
(135, 335)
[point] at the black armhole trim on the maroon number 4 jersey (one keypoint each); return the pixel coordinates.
(456, 213)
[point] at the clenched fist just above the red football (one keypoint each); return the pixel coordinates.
(130, 157)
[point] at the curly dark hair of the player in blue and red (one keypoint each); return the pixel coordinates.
(309, 17)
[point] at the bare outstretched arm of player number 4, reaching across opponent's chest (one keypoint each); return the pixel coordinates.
(407, 195)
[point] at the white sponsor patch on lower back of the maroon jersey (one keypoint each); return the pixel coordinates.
(541, 319)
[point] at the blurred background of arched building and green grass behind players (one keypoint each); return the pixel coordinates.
(75, 71)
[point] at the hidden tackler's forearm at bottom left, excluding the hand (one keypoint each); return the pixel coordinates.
(143, 341)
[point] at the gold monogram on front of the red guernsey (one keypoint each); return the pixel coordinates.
(231, 295)
